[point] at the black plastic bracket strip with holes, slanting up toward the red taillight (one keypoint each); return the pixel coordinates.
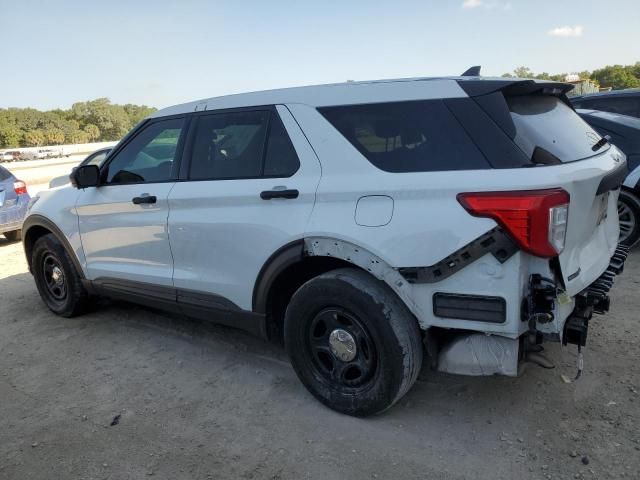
(496, 241)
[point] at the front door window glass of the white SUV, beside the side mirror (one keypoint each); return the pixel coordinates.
(149, 157)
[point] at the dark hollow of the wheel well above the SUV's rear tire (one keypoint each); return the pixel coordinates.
(288, 282)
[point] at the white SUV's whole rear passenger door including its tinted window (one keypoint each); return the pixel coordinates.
(249, 190)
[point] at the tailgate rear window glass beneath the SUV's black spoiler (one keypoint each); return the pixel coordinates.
(546, 125)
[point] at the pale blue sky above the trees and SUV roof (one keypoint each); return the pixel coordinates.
(164, 52)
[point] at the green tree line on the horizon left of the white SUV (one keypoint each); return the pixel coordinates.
(92, 121)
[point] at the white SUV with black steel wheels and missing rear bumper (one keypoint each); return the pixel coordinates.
(363, 224)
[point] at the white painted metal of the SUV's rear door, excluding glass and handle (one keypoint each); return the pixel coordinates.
(222, 232)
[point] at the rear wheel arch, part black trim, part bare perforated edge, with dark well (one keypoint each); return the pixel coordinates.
(297, 262)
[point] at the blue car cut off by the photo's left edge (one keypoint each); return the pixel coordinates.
(14, 200)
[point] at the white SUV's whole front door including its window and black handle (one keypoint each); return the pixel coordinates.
(123, 222)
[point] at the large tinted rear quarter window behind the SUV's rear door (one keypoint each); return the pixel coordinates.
(415, 136)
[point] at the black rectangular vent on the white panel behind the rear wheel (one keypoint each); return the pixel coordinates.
(477, 308)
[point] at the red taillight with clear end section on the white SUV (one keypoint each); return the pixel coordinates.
(536, 219)
